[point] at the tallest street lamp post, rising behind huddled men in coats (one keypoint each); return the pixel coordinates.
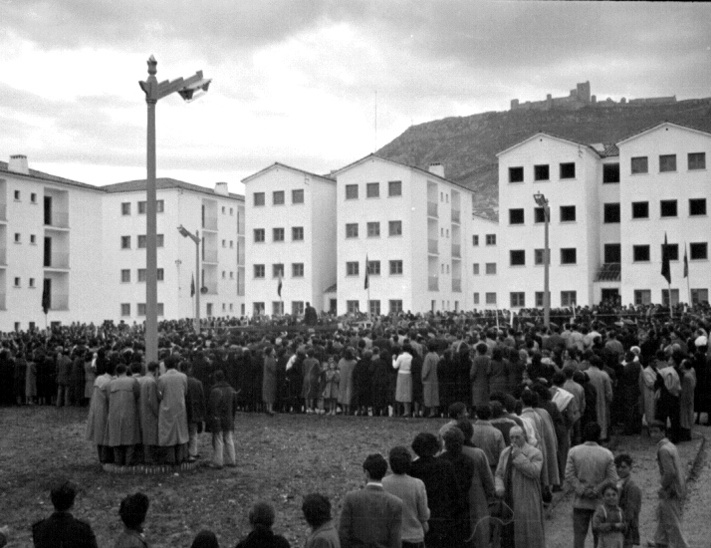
(155, 91)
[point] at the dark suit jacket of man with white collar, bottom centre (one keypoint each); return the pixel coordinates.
(371, 517)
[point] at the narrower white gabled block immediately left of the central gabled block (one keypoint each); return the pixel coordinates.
(290, 240)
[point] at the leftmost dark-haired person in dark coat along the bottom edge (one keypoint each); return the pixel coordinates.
(61, 528)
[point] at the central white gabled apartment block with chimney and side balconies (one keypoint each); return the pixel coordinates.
(411, 225)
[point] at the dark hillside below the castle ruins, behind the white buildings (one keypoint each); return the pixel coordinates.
(467, 146)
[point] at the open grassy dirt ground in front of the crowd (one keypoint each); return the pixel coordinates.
(280, 460)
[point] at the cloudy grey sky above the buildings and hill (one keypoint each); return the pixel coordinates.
(296, 81)
